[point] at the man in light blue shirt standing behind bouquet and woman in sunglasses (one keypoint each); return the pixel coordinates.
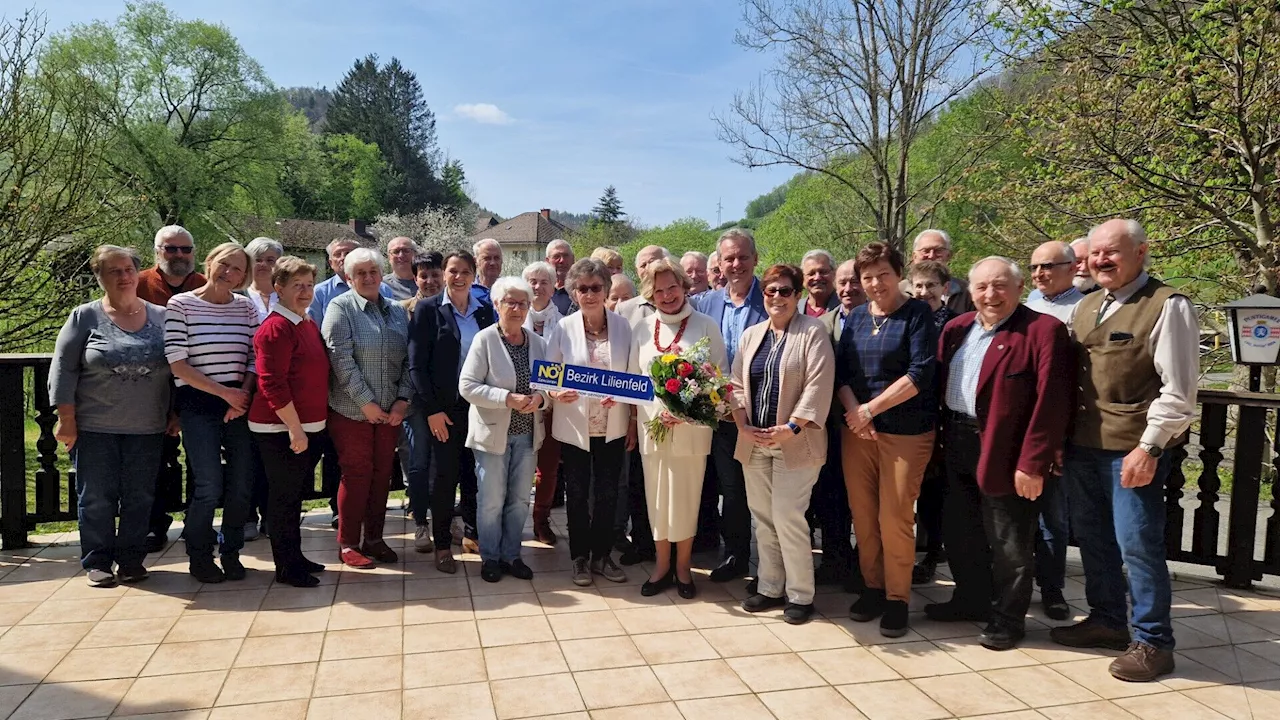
(737, 307)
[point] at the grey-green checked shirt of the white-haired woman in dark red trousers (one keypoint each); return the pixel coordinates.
(368, 354)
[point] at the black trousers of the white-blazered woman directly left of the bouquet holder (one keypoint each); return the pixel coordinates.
(592, 496)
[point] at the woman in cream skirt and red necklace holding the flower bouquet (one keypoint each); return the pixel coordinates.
(674, 468)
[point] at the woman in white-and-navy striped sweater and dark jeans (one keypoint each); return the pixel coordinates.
(209, 344)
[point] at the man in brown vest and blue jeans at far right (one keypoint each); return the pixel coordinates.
(1137, 371)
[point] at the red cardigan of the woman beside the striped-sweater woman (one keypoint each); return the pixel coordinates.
(292, 367)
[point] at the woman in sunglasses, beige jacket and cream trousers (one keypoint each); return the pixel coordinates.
(784, 377)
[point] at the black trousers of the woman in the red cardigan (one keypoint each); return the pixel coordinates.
(287, 476)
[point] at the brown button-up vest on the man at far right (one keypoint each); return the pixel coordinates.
(1118, 379)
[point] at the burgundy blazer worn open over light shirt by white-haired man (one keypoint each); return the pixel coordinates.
(1026, 395)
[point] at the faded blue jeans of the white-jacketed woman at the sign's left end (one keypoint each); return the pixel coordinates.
(502, 498)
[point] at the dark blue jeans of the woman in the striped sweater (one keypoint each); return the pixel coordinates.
(205, 438)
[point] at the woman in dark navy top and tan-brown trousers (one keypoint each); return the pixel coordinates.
(885, 382)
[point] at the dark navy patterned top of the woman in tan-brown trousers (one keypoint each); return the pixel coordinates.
(906, 345)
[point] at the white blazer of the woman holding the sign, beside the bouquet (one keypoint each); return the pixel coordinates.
(568, 344)
